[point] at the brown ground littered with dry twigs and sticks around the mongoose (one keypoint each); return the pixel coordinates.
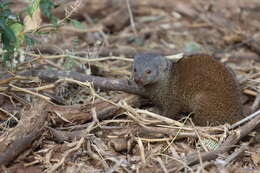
(68, 126)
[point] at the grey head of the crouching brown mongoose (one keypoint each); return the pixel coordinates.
(148, 68)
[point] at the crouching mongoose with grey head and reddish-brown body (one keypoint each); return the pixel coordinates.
(196, 83)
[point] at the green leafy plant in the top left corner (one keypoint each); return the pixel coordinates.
(12, 30)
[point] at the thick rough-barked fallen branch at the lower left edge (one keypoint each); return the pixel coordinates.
(17, 140)
